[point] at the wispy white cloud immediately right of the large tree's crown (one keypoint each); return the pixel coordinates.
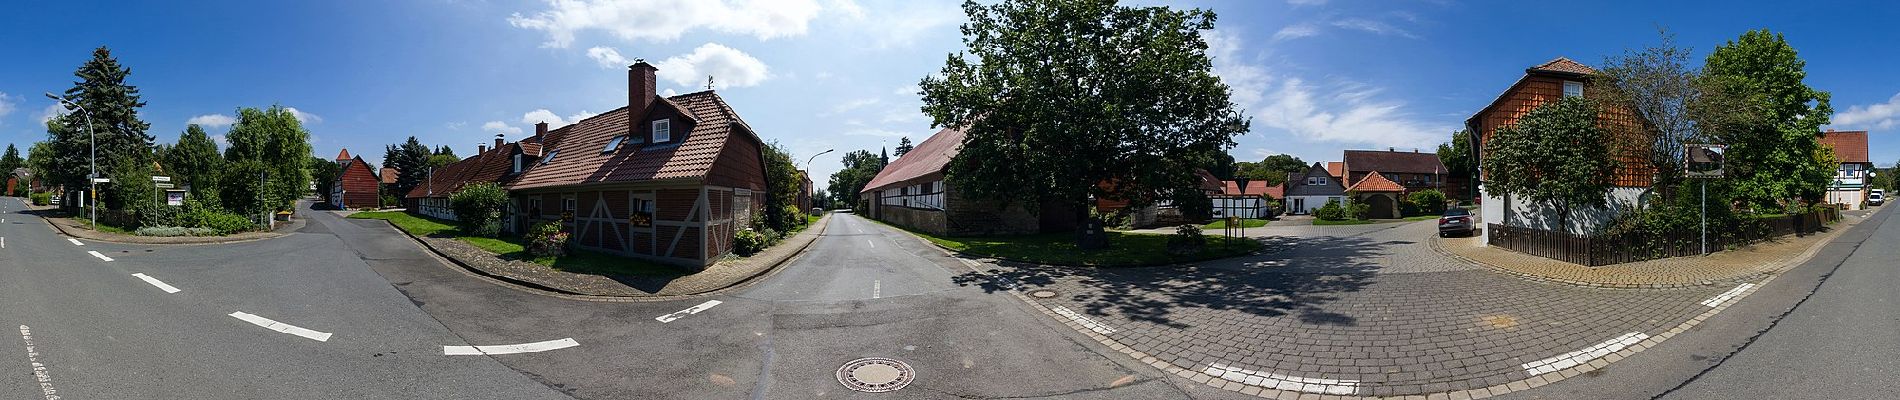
(1340, 115)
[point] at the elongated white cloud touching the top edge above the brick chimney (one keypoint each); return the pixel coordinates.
(668, 20)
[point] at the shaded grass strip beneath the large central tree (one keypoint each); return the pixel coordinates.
(1059, 249)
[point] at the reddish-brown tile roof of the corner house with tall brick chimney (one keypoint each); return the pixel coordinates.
(579, 158)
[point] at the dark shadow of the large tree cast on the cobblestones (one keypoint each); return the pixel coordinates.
(1299, 282)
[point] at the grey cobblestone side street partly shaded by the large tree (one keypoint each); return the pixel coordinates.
(1369, 314)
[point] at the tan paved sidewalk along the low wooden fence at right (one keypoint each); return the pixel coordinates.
(1722, 268)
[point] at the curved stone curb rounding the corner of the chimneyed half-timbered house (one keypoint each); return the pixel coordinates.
(569, 295)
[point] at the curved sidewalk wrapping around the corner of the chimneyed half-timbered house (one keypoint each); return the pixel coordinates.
(725, 274)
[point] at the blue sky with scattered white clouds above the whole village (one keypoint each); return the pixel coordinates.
(1318, 77)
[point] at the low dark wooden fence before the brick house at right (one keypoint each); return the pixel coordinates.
(1633, 247)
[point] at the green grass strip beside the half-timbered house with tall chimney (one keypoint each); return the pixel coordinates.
(516, 249)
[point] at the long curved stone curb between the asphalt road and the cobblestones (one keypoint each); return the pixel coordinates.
(1500, 390)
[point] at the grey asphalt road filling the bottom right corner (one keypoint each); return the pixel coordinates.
(1829, 329)
